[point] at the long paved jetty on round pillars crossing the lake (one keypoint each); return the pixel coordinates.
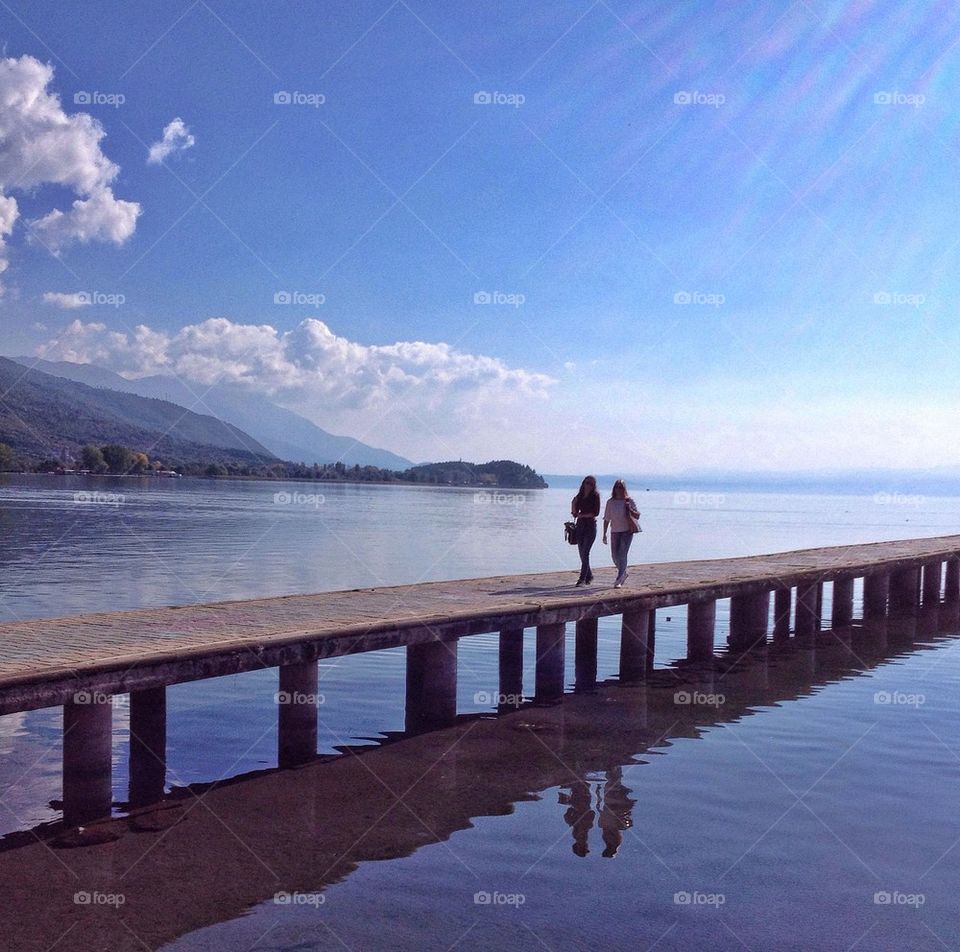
(84, 662)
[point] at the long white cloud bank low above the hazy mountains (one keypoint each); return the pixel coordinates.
(335, 381)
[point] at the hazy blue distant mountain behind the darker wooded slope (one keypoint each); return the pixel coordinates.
(276, 430)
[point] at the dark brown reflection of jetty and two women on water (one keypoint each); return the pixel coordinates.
(210, 853)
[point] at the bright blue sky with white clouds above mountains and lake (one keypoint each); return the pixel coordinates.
(639, 237)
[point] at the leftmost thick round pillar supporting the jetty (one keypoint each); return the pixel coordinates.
(87, 758)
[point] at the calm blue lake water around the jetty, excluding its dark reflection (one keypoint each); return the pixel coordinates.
(798, 814)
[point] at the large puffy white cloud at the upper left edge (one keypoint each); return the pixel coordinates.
(40, 144)
